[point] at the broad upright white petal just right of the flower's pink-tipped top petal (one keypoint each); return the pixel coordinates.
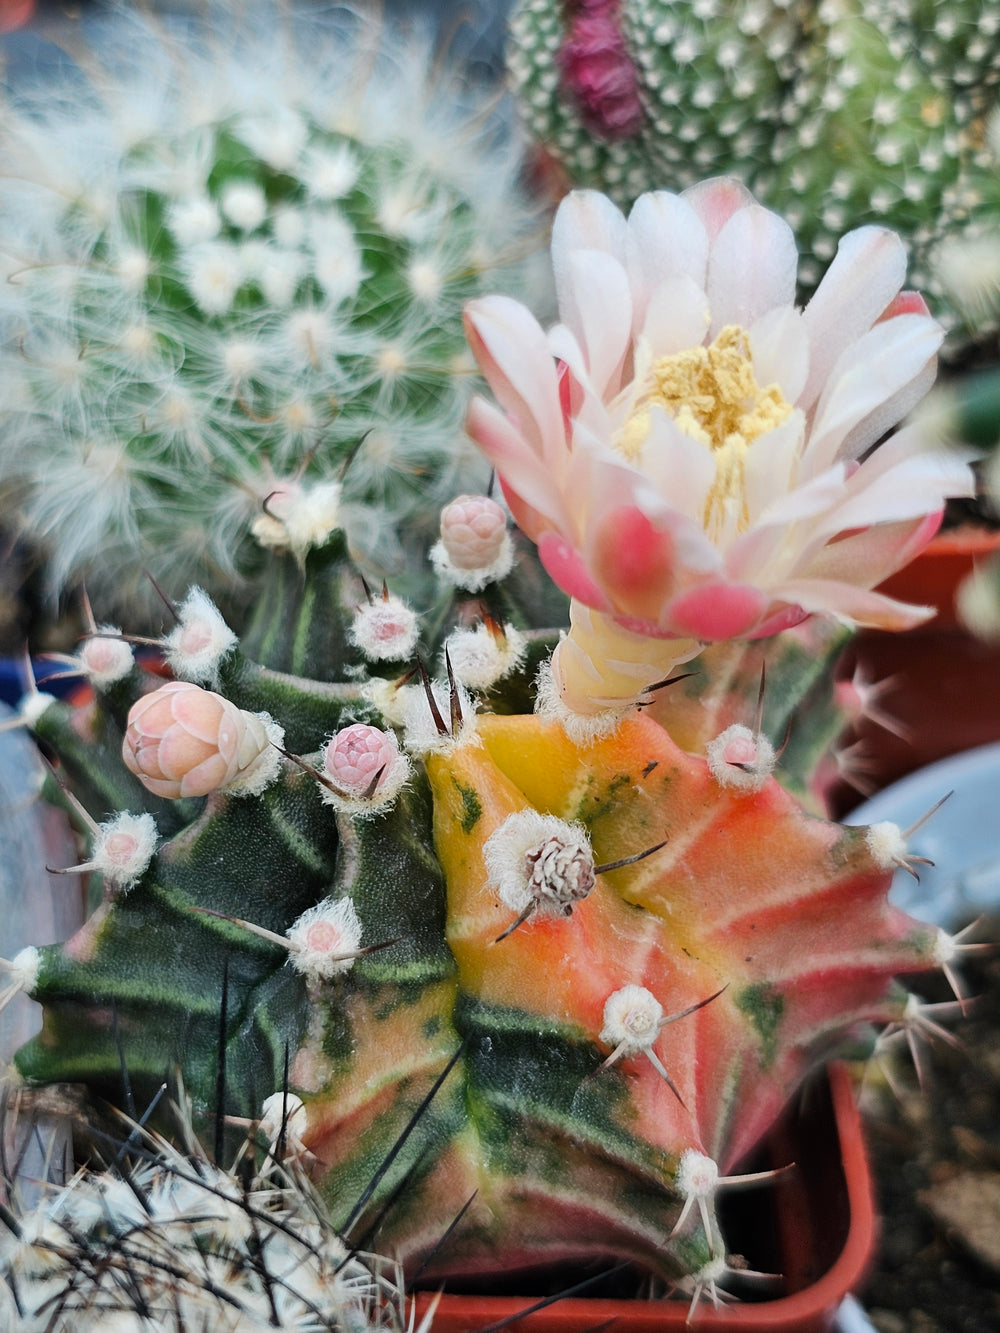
(753, 269)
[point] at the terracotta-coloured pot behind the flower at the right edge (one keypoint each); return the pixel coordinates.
(943, 680)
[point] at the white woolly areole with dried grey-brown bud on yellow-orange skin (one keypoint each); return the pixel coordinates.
(539, 859)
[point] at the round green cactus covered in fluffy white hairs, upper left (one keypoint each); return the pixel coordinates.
(255, 282)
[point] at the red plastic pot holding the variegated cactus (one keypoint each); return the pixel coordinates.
(815, 1226)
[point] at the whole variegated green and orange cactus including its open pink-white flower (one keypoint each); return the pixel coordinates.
(542, 979)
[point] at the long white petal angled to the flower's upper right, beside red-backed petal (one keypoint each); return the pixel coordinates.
(866, 275)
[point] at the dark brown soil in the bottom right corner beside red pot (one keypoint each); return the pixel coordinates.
(937, 1159)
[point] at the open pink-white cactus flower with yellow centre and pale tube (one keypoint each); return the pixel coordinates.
(690, 451)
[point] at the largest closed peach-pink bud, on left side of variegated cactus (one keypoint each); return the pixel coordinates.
(183, 740)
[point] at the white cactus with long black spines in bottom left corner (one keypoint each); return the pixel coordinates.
(166, 1239)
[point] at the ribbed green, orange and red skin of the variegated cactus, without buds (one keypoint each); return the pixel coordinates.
(466, 1062)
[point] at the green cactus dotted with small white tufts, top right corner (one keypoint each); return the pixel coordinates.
(835, 115)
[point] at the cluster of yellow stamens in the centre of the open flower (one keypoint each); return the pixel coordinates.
(714, 397)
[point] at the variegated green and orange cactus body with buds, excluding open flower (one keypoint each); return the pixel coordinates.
(537, 990)
